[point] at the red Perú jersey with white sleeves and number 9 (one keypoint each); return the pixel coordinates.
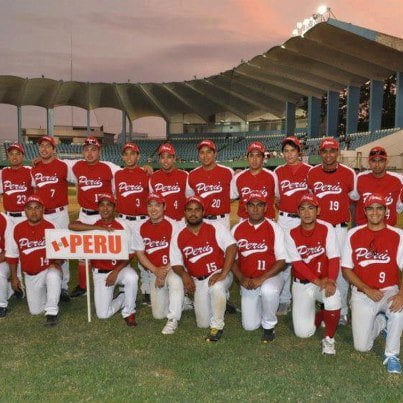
(376, 257)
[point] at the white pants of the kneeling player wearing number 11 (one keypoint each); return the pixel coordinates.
(259, 306)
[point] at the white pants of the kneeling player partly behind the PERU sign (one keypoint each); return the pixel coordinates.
(105, 304)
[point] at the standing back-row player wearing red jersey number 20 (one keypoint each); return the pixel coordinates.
(212, 183)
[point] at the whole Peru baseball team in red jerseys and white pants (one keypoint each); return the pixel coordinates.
(178, 226)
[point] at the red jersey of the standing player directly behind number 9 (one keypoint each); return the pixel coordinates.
(389, 186)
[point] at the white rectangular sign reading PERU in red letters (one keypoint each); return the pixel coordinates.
(102, 245)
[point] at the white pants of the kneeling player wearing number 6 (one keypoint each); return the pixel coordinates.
(167, 302)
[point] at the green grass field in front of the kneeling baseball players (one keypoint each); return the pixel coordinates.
(106, 360)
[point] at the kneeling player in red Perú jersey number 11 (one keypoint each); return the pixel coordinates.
(261, 257)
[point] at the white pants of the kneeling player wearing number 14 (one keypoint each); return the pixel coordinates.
(43, 291)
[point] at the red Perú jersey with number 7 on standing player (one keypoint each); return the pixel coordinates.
(51, 183)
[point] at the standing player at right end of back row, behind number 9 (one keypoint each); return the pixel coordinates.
(379, 180)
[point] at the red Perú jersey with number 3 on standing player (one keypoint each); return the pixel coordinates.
(131, 190)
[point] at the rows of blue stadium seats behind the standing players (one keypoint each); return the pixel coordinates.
(231, 147)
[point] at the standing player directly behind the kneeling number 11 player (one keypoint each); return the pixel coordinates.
(256, 178)
